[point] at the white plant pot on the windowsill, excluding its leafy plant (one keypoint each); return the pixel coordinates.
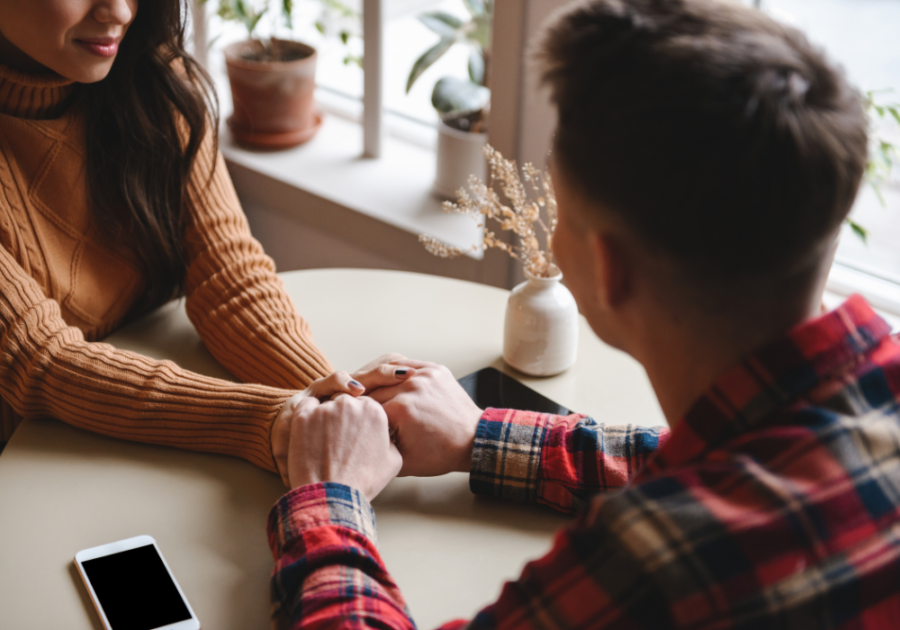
(459, 155)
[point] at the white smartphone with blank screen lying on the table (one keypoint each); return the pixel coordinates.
(132, 587)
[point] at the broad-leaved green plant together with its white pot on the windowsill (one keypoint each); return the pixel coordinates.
(462, 104)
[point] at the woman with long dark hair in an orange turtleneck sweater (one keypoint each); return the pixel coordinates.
(113, 200)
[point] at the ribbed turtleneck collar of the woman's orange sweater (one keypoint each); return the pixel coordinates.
(36, 96)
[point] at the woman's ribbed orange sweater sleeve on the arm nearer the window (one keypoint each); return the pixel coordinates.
(234, 299)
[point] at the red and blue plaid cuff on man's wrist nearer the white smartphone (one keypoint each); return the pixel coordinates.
(319, 505)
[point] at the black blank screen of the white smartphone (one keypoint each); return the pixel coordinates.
(135, 589)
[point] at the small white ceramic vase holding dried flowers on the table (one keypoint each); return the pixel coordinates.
(541, 333)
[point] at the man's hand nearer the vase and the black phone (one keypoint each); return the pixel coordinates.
(432, 419)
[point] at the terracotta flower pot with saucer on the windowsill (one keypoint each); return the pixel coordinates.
(273, 100)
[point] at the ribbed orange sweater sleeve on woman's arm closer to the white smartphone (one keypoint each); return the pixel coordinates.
(48, 369)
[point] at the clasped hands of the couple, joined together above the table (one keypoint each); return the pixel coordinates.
(424, 426)
